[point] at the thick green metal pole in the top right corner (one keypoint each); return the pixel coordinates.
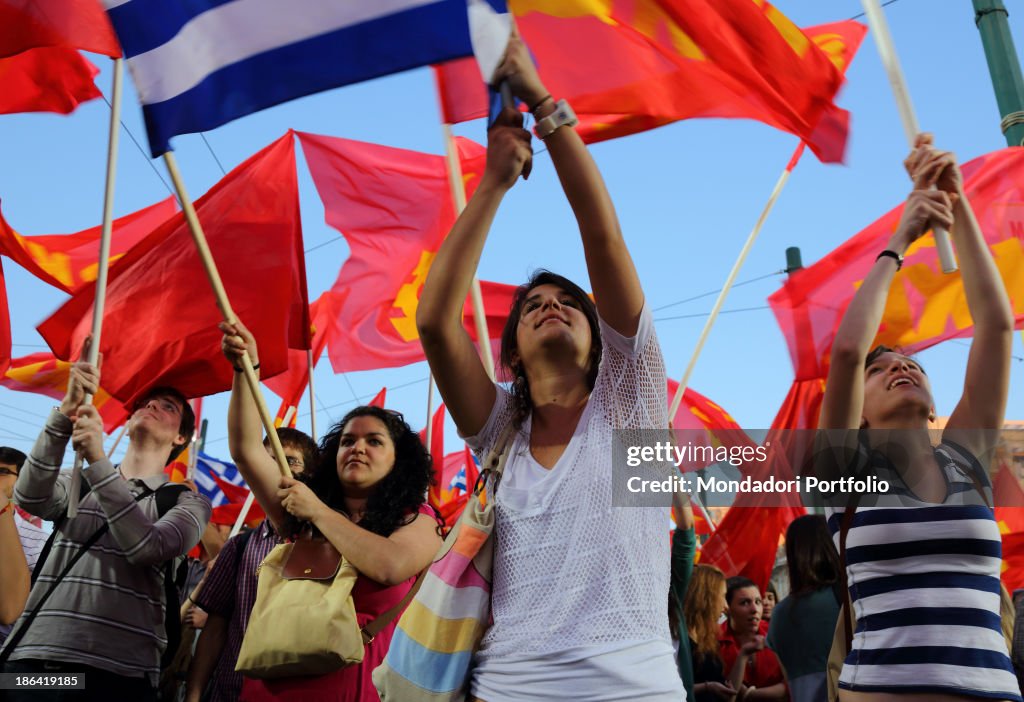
(992, 19)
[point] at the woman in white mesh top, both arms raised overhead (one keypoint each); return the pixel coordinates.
(579, 586)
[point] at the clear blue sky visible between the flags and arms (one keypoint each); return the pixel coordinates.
(688, 196)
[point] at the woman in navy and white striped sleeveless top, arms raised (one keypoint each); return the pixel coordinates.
(923, 561)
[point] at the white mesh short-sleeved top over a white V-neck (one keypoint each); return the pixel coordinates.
(580, 592)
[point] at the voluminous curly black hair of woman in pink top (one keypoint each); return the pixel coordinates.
(397, 499)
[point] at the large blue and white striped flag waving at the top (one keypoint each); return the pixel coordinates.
(201, 64)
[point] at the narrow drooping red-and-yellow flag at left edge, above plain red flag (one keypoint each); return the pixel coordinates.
(69, 261)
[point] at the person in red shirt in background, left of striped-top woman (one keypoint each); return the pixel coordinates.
(755, 671)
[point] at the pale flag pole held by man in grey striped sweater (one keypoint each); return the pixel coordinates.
(93, 354)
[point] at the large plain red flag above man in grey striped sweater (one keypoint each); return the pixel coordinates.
(160, 325)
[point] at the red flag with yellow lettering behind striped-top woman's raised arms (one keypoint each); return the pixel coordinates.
(925, 305)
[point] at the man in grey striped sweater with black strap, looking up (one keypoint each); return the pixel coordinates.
(98, 607)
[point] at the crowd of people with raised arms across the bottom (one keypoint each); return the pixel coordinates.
(895, 600)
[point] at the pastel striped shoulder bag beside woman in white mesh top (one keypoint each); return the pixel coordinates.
(433, 649)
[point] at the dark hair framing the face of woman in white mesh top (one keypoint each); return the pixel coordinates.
(522, 402)
